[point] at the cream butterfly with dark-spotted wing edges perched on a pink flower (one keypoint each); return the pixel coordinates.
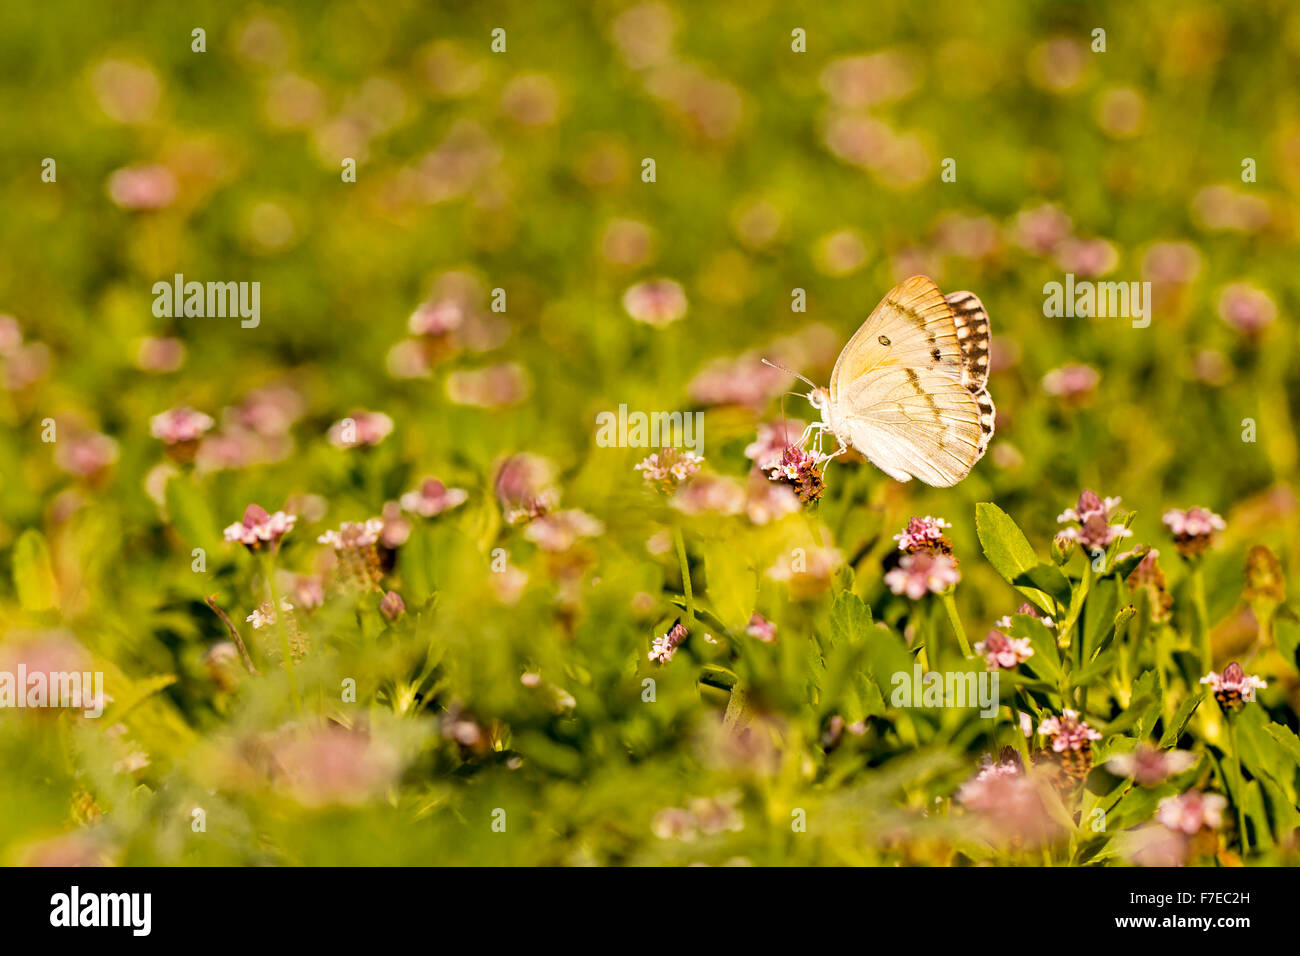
(911, 390)
